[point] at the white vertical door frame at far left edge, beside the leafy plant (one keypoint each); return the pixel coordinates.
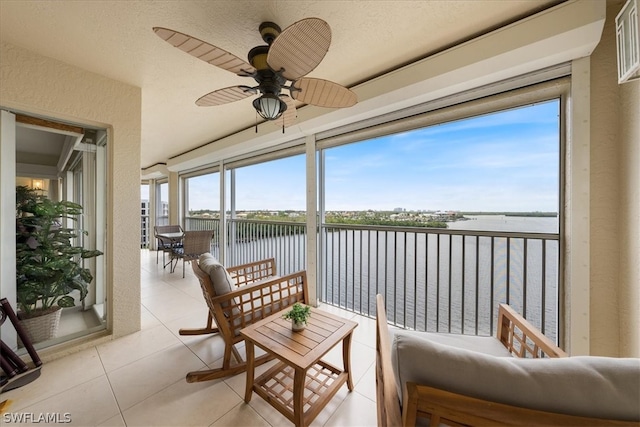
(7, 220)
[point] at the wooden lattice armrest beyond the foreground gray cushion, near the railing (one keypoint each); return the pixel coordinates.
(523, 339)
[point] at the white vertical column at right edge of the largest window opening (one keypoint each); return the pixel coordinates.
(577, 268)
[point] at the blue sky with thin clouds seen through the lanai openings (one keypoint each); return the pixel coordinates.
(506, 161)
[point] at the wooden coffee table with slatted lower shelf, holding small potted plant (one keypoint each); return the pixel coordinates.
(301, 384)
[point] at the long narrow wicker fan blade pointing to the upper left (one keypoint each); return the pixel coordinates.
(204, 51)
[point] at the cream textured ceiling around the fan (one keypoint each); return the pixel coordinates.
(115, 39)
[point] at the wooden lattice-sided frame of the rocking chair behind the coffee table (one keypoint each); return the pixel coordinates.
(256, 293)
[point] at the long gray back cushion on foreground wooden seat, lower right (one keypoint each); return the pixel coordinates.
(589, 386)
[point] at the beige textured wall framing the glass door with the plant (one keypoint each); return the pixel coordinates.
(43, 86)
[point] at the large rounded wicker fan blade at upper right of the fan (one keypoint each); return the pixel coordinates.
(300, 48)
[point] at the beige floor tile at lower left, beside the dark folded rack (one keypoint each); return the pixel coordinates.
(56, 377)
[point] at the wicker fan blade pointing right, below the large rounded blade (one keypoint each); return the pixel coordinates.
(323, 93)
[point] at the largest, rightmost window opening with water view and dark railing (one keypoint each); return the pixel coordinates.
(448, 213)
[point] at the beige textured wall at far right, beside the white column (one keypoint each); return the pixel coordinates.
(615, 203)
